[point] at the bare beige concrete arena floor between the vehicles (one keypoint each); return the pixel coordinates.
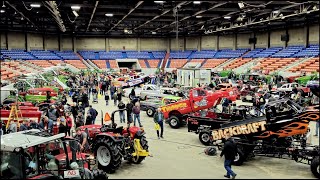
(180, 155)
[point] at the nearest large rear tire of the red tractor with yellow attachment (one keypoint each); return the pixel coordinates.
(107, 154)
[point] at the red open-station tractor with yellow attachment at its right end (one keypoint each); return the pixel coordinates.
(110, 144)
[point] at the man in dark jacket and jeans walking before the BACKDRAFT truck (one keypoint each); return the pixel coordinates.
(229, 151)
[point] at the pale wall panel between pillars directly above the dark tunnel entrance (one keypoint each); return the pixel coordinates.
(119, 43)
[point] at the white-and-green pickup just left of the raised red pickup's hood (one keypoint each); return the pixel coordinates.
(151, 105)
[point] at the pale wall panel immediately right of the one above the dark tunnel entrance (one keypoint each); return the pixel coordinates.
(153, 44)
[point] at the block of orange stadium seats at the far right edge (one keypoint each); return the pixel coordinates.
(309, 66)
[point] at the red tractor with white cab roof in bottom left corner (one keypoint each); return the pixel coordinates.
(36, 154)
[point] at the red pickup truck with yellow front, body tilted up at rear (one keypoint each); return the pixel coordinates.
(199, 99)
